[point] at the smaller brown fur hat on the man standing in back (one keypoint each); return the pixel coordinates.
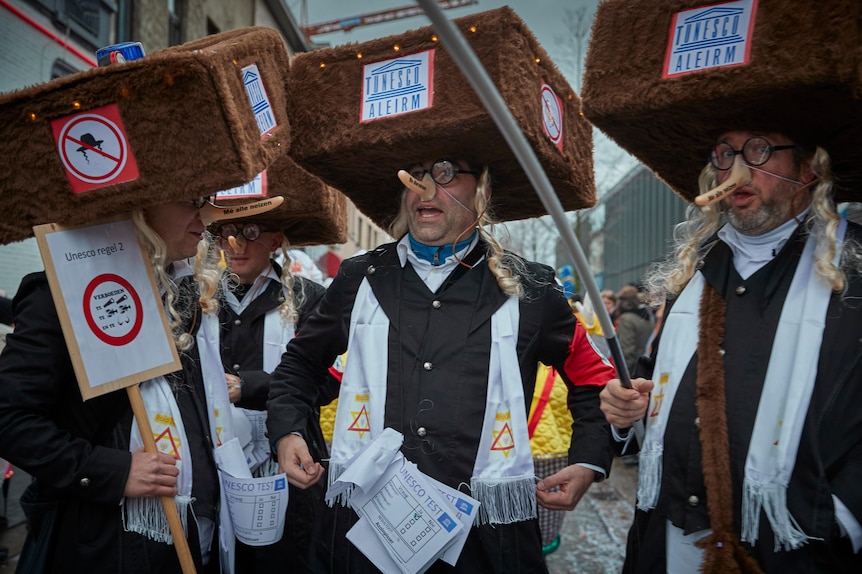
(312, 213)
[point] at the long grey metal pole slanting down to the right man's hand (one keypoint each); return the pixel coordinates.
(466, 59)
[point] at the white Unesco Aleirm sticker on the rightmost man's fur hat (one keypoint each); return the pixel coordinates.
(708, 37)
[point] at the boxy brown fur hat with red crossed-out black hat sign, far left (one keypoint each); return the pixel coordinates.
(188, 122)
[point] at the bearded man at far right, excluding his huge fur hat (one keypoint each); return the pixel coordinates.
(765, 271)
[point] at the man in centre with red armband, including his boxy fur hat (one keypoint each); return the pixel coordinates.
(443, 328)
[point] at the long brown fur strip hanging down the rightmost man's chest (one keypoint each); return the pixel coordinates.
(723, 553)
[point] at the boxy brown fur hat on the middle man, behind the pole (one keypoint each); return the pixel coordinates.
(362, 155)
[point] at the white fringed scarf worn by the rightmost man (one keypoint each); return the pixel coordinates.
(781, 412)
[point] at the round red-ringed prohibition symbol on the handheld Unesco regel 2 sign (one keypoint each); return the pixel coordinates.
(113, 310)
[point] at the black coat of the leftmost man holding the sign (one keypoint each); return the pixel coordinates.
(78, 451)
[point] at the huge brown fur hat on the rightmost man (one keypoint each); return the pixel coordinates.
(801, 78)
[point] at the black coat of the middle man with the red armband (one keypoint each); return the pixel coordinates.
(451, 330)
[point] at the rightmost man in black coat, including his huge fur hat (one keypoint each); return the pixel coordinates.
(751, 456)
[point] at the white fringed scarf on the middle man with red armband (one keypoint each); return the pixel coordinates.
(503, 477)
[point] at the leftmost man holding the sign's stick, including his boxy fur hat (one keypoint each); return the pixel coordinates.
(94, 505)
